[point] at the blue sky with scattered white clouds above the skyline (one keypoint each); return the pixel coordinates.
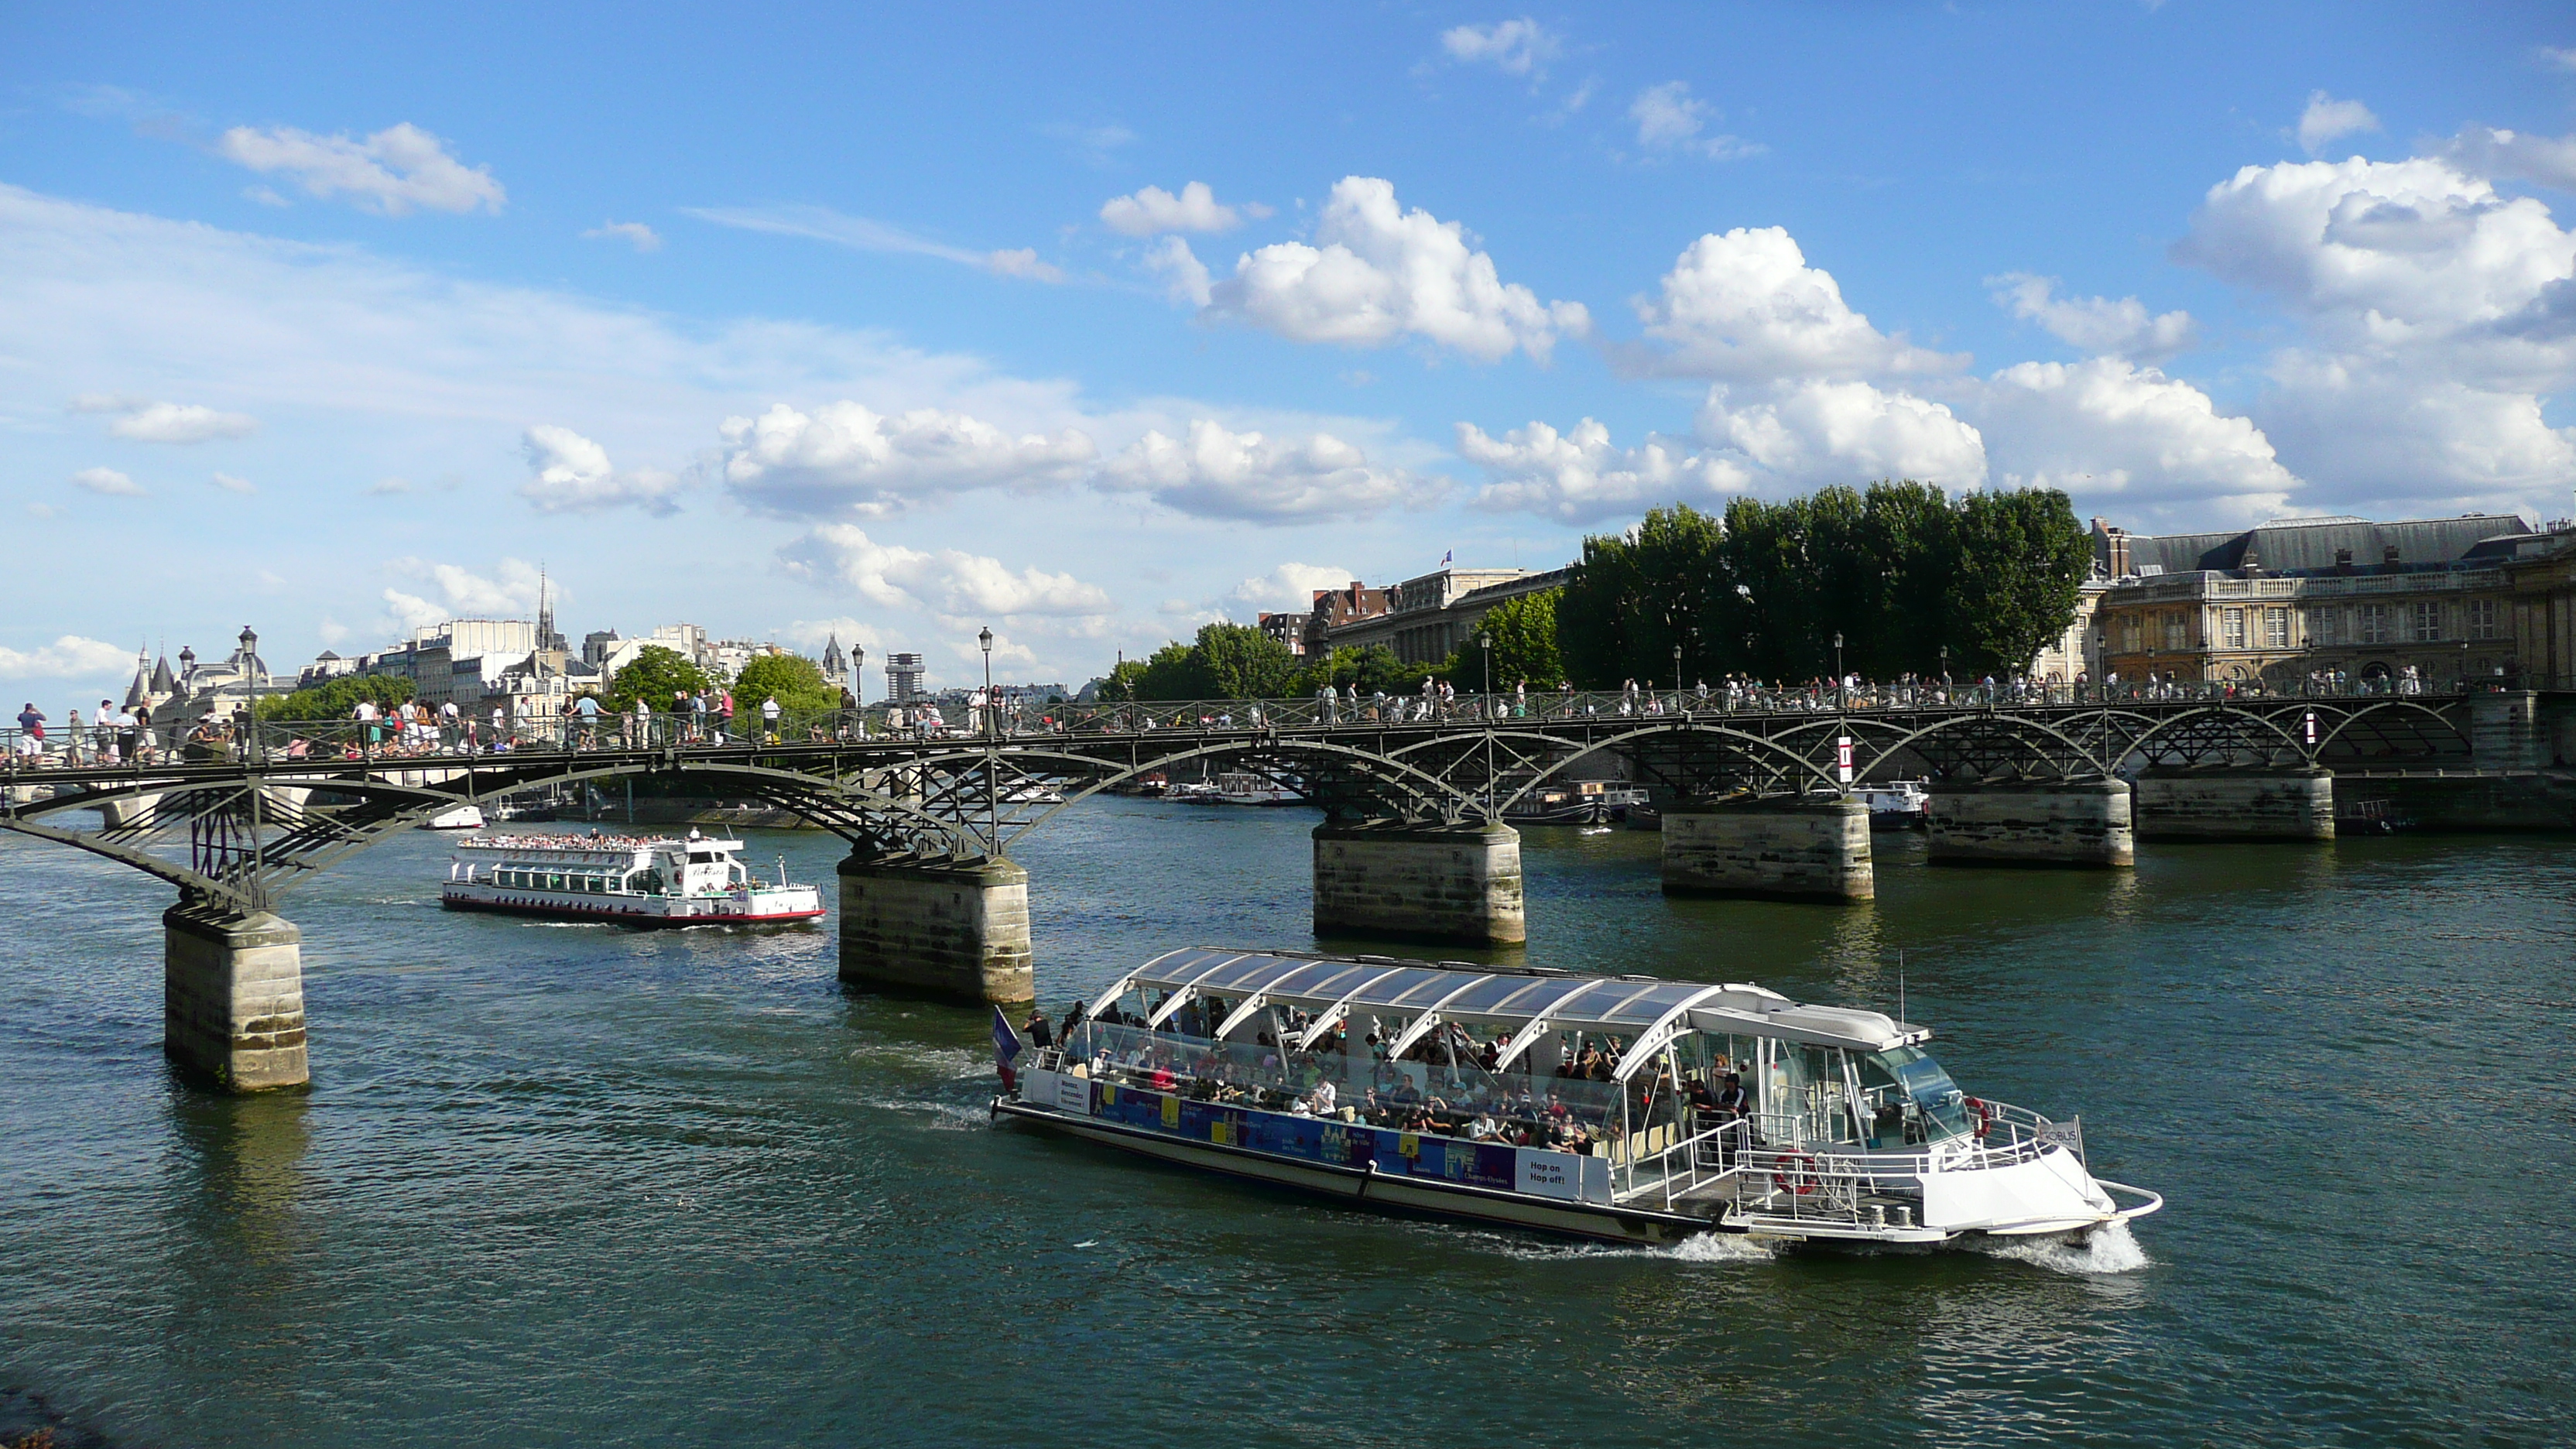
(1099, 324)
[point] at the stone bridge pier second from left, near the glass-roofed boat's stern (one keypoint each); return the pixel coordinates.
(949, 929)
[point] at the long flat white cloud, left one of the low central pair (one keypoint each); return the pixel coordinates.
(851, 460)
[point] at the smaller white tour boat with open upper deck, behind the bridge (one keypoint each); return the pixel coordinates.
(622, 878)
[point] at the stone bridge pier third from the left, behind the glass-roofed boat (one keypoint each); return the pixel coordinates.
(1428, 883)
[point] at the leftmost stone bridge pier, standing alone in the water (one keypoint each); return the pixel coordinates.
(233, 997)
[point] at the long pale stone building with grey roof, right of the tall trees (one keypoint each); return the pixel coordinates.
(2474, 597)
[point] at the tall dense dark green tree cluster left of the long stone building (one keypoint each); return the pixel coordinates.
(1897, 571)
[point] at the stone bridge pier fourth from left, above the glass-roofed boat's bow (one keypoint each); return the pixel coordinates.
(1794, 847)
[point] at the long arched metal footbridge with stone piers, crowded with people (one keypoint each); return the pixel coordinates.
(1416, 842)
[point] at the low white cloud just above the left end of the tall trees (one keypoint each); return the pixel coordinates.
(1580, 476)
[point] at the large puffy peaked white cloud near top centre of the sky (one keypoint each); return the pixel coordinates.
(1379, 272)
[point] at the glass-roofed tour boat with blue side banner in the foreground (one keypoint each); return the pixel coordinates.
(1604, 1107)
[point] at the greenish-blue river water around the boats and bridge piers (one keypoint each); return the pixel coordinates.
(563, 1185)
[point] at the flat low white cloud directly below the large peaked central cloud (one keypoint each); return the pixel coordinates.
(1261, 478)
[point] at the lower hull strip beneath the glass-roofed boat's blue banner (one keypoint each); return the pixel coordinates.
(1372, 1190)
